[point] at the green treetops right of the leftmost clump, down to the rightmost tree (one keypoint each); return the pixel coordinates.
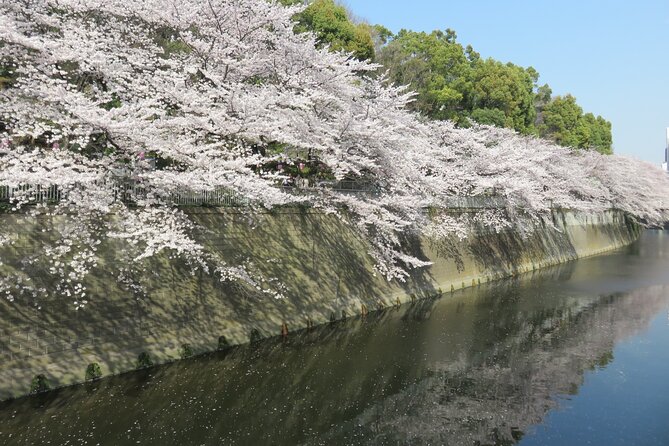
(454, 82)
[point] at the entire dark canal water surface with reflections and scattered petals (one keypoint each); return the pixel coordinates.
(577, 354)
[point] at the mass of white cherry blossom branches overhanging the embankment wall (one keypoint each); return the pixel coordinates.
(98, 88)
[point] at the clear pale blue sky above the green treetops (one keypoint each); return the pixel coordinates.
(612, 55)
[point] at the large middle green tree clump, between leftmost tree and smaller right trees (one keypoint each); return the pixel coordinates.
(453, 82)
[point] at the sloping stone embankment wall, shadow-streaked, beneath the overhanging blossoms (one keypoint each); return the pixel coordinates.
(323, 265)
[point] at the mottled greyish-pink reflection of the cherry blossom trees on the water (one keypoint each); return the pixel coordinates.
(494, 400)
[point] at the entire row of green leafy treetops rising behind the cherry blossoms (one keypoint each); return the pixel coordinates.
(454, 82)
